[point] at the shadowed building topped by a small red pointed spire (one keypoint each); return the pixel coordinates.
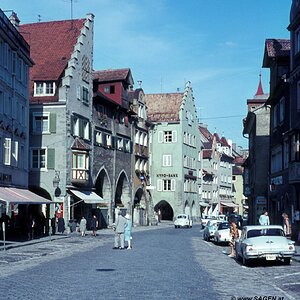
(256, 167)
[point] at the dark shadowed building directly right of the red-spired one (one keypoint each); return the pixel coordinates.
(277, 59)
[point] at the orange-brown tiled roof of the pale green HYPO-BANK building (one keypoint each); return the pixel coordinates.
(163, 107)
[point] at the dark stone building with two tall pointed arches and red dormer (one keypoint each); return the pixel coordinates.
(113, 146)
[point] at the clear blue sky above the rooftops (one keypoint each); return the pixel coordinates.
(217, 45)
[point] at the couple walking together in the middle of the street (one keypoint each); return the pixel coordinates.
(123, 228)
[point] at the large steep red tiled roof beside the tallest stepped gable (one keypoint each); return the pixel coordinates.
(51, 46)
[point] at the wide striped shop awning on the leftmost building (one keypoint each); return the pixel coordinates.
(21, 196)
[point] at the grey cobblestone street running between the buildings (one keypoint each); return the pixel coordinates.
(165, 263)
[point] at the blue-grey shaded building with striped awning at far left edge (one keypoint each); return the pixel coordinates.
(15, 63)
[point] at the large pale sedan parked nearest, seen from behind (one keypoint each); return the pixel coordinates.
(264, 243)
